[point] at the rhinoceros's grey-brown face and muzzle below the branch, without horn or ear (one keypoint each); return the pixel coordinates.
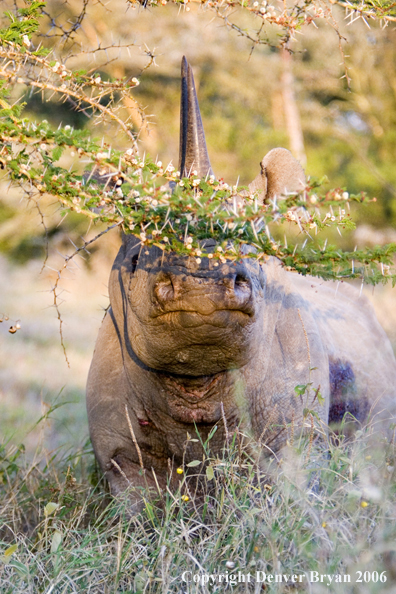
(169, 307)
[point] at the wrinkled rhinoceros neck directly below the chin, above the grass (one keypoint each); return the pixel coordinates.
(178, 406)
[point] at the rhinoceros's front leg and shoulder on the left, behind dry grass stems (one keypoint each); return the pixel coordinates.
(121, 446)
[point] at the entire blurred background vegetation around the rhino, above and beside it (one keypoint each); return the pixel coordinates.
(344, 131)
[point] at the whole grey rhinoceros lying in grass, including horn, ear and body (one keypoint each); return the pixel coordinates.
(185, 346)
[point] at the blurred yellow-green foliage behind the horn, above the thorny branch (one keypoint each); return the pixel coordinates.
(348, 128)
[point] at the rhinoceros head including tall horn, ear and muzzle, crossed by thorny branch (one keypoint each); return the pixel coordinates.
(167, 306)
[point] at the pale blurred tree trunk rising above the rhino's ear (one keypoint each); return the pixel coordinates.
(292, 115)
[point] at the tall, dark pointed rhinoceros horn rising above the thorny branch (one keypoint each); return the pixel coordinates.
(193, 152)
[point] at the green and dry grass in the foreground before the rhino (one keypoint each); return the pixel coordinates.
(324, 507)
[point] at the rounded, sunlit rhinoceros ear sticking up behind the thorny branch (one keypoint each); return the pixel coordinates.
(280, 174)
